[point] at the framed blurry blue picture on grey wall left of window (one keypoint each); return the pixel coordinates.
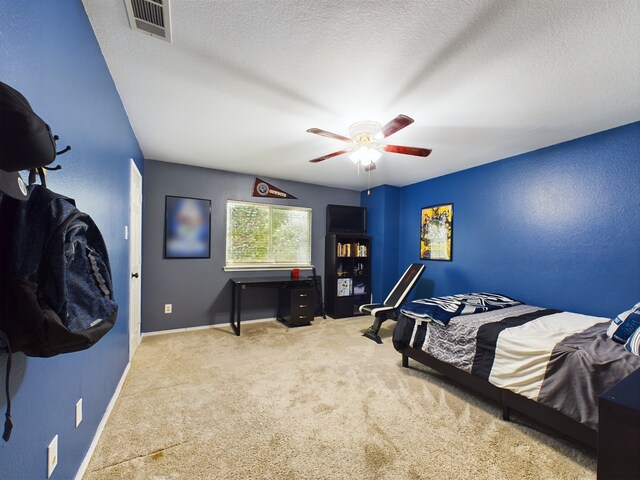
(187, 227)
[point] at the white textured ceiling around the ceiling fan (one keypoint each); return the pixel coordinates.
(243, 80)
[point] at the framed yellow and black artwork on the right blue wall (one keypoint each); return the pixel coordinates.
(436, 232)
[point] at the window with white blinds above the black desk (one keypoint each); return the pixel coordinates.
(261, 236)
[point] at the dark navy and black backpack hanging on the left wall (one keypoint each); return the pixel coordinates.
(57, 294)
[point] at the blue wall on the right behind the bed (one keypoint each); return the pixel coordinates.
(557, 227)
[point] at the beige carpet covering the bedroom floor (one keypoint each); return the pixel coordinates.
(318, 402)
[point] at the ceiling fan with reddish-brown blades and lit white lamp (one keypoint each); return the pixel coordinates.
(366, 142)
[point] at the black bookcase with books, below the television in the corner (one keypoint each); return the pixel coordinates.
(347, 269)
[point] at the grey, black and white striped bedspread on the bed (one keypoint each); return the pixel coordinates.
(561, 359)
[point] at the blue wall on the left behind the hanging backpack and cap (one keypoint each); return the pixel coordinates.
(50, 54)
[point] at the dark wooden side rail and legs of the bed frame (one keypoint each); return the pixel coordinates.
(508, 400)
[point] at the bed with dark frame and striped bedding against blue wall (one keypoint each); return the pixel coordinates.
(547, 364)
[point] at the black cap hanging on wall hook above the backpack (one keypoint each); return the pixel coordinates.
(26, 141)
